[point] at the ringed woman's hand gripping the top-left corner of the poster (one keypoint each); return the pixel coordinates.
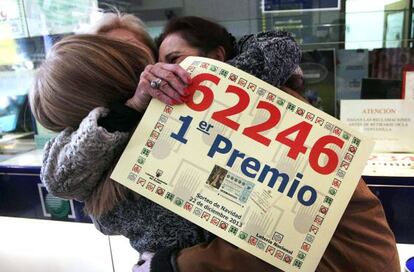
(171, 89)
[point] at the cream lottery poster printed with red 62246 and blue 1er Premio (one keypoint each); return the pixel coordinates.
(249, 163)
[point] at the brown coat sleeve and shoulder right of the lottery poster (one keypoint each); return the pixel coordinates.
(363, 239)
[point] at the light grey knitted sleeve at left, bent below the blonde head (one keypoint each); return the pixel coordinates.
(74, 162)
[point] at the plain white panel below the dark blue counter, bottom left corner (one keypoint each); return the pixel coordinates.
(50, 246)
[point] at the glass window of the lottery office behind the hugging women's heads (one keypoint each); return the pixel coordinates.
(349, 46)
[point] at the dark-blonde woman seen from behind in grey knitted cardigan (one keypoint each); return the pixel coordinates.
(80, 90)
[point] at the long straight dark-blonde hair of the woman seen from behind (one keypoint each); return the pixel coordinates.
(80, 73)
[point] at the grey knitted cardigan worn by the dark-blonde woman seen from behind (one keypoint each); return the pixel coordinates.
(76, 161)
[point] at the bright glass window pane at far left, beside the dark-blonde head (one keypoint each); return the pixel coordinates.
(28, 28)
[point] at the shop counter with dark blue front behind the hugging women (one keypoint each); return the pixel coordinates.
(23, 195)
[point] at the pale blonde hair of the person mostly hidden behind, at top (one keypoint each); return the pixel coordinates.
(117, 20)
